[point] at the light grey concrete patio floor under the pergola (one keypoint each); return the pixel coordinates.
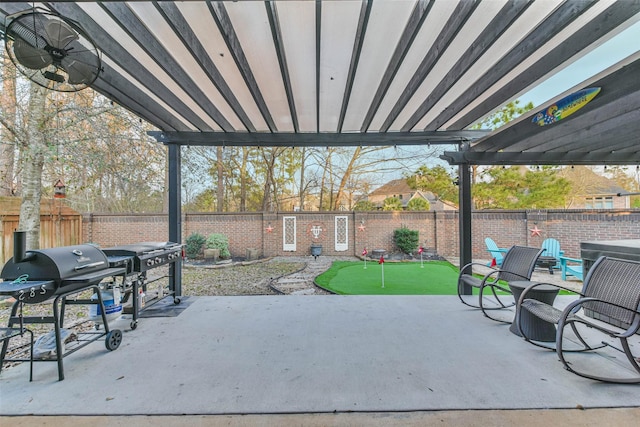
(320, 360)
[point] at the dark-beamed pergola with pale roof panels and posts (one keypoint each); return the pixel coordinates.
(363, 72)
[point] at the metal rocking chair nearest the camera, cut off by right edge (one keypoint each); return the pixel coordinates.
(605, 317)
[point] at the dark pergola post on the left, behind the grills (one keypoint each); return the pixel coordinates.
(175, 215)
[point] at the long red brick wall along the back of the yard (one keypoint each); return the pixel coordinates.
(438, 231)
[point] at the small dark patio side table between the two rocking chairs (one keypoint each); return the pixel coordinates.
(533, 327)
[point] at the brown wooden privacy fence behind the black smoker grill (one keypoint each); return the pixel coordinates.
(59, 225)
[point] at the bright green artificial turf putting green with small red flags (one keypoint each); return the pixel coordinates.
(400, 278)
